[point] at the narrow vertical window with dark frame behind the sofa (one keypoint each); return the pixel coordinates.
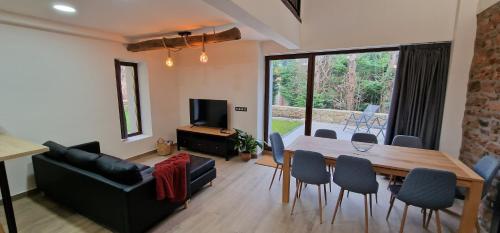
(127, 84)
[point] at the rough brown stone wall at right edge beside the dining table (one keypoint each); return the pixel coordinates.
(481, 124)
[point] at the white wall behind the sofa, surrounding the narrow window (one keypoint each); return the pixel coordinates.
(63, 88)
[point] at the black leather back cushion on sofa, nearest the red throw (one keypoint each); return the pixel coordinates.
(118, 170)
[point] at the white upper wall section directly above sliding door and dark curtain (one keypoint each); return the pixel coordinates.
(334, 24)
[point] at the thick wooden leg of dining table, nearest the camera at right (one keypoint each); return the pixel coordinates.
(471, 206)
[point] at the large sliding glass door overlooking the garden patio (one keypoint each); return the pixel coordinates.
(346, 91)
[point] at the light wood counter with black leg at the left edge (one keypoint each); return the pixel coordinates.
(11, 148)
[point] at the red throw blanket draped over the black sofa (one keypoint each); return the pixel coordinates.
(171, 178)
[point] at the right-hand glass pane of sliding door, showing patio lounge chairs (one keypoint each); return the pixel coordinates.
(352, 92)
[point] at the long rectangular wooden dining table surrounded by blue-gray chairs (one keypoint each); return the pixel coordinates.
(397, 161)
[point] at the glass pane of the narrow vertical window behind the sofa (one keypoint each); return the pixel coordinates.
(129, 98)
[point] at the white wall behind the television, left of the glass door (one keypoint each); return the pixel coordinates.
(232, 73)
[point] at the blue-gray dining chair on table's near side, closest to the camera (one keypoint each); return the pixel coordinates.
(427, 189)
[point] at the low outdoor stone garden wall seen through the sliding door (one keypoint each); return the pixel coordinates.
(319, 115)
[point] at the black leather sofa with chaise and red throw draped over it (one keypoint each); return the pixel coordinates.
(112, 192)
